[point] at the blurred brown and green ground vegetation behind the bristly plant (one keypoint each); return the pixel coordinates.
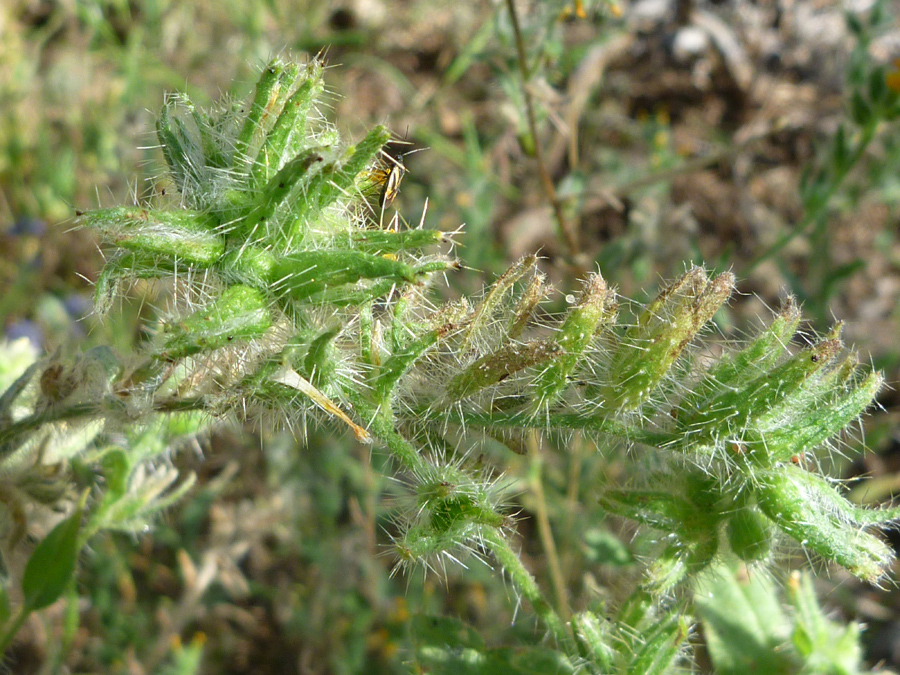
(716, 131)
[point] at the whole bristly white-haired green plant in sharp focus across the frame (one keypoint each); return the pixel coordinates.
(287, 299)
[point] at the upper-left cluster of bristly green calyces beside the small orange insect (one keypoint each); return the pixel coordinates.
(270, 236)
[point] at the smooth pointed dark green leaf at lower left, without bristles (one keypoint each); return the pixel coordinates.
(52, 564)
